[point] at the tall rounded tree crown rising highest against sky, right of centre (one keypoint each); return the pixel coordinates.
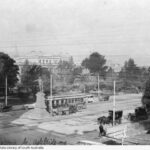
(96, 63)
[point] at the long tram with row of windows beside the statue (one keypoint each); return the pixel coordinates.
(66, 104)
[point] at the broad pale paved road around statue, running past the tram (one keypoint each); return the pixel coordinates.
(72, 128)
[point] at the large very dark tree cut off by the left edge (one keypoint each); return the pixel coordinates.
(8, 68)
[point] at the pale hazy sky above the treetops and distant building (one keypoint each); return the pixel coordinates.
(118, 29)
